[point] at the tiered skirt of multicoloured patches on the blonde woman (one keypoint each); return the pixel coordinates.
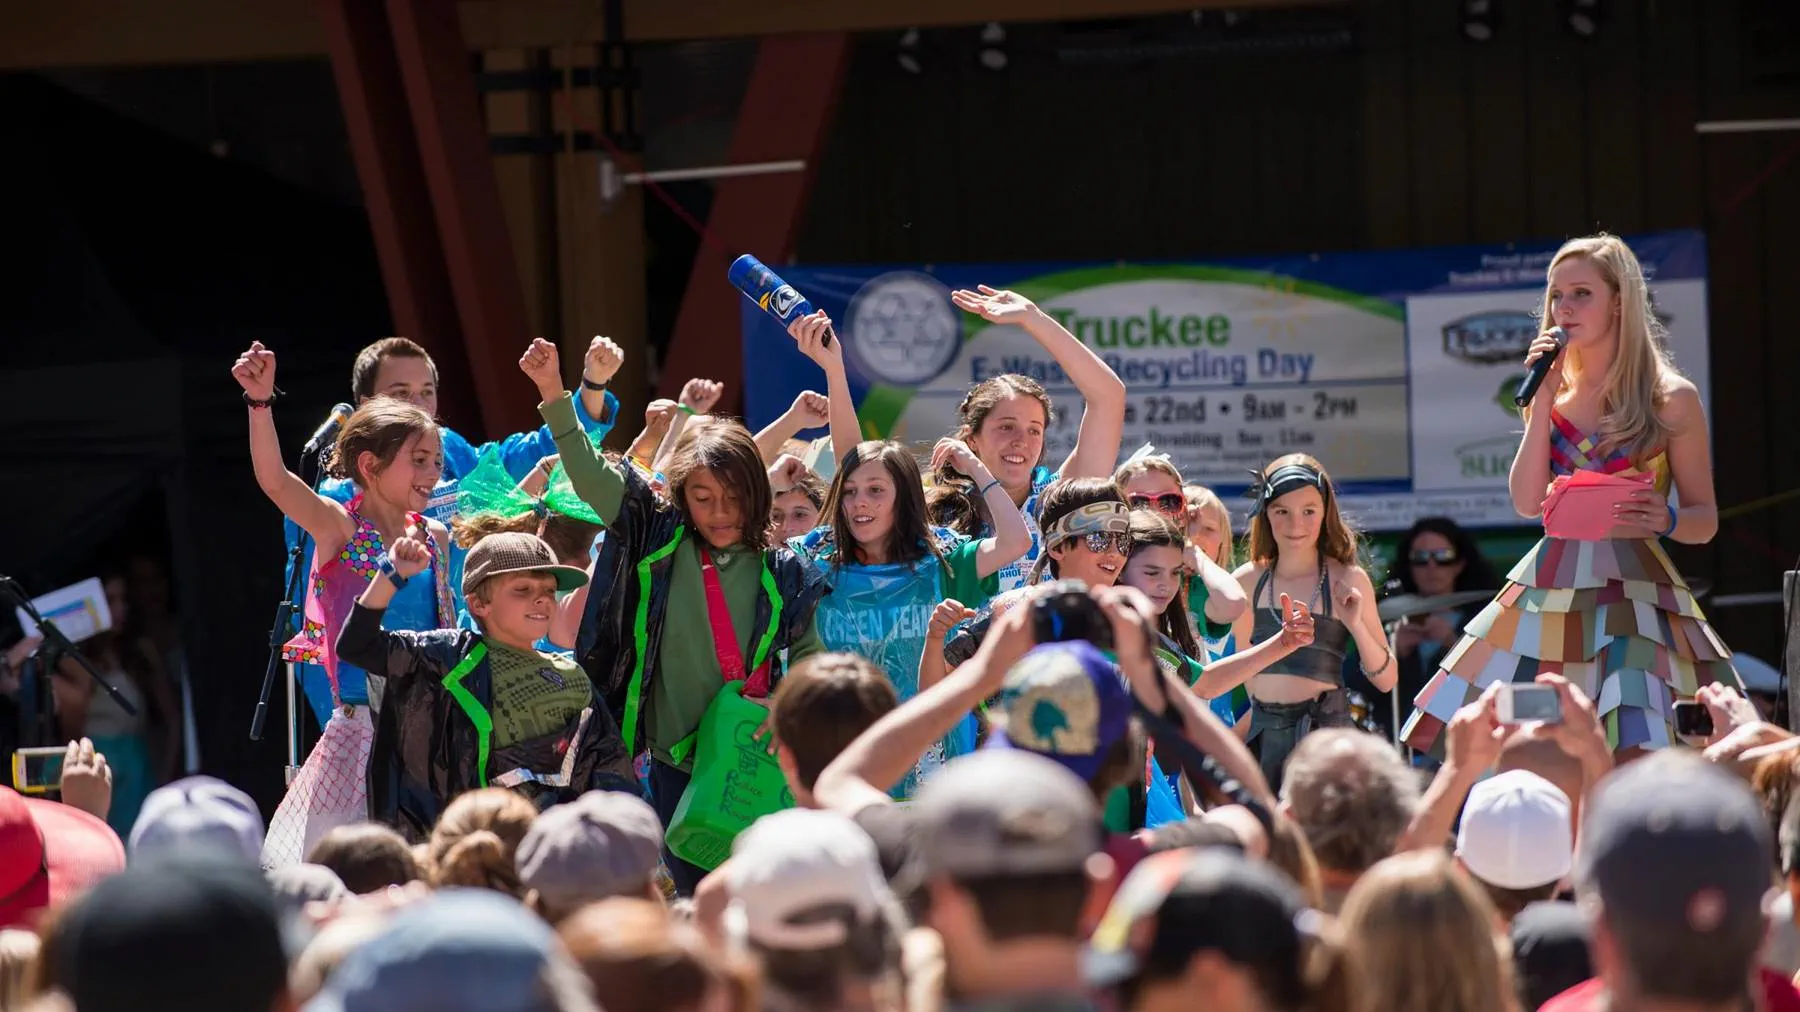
(1612, 617)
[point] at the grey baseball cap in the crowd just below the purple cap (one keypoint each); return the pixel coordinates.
(1005, 813)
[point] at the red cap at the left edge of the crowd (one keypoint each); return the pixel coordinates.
(49, 853)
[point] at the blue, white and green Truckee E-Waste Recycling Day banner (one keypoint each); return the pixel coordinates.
(1392, 368)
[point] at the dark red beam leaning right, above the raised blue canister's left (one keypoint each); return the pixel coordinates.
(786, 114)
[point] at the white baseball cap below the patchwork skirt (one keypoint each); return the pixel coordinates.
(1516, 831)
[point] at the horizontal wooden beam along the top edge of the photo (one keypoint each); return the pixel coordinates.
(40, 35)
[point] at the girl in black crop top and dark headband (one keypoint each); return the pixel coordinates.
(1302, 547)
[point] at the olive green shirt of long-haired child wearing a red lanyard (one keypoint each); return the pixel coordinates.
(688, 673)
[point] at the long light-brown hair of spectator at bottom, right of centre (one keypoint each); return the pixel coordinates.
(1421, 937)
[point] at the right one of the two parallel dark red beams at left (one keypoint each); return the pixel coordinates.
(460, 176)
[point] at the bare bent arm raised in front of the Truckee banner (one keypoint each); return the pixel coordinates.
(1097, 444)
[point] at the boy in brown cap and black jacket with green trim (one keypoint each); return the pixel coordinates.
(465, 710)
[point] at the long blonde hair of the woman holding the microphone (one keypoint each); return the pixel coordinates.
(1637, 383)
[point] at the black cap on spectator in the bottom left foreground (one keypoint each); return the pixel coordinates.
(190, 934)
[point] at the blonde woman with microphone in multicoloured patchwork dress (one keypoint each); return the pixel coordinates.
(1614, 438)
